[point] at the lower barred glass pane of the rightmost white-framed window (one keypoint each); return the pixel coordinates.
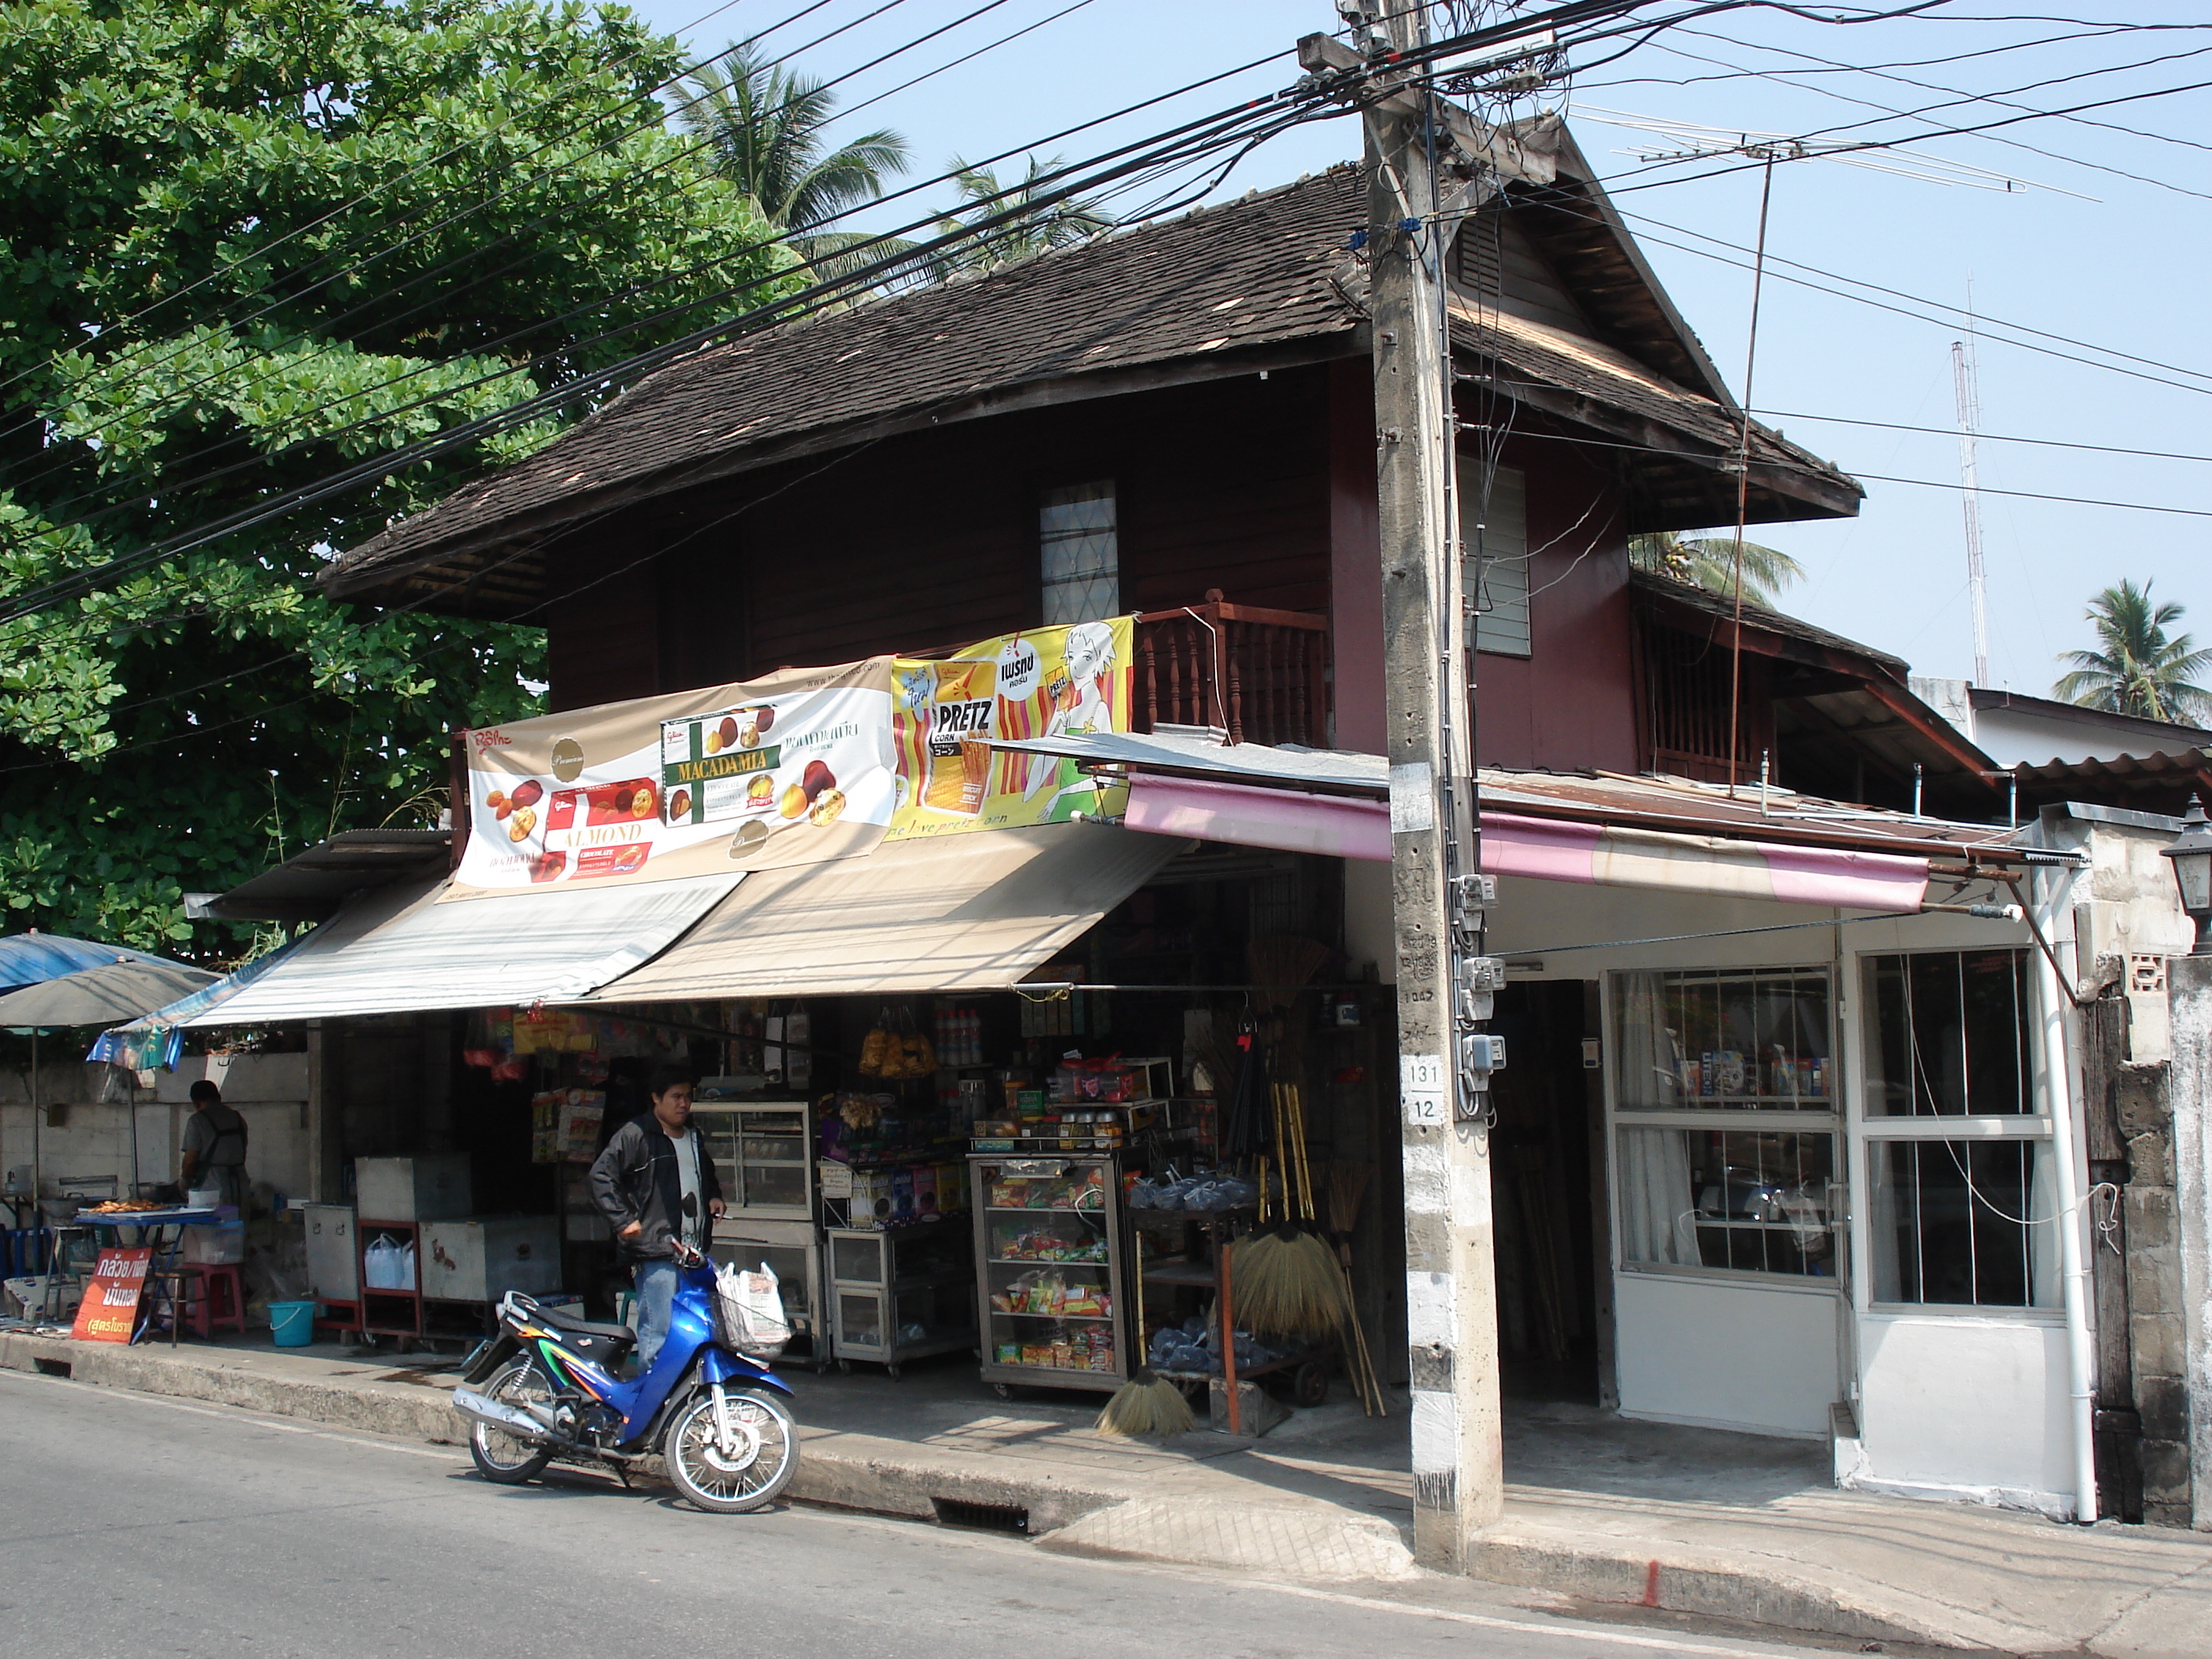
(1963, 1222)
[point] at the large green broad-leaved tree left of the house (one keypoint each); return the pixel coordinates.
(244, 247)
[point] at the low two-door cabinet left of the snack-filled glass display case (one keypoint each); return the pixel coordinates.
(901, 1293)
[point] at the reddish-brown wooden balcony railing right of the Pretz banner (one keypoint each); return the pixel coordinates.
(1258, 676)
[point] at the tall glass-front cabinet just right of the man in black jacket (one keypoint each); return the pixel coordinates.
(764, 1154)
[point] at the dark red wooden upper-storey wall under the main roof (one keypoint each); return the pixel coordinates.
(1258, 488)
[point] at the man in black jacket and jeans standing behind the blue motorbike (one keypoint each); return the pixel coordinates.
(656, 1185)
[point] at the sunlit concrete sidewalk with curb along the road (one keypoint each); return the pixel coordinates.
(1598, 1510)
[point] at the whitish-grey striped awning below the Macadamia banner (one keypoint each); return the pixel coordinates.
(399, 952)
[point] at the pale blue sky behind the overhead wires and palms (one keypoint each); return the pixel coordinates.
(2105, 264)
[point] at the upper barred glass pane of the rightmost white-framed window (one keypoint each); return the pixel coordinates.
(1950, 1034)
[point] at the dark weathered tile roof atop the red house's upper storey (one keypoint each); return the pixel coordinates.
(1266, 271)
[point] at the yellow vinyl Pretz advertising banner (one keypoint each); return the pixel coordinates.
(1043, 682)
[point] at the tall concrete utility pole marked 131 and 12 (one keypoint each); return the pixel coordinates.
(1437, 886)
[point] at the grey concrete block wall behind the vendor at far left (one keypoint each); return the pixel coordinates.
(271, 1092)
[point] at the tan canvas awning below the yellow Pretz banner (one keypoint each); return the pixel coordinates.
(968, 912)
